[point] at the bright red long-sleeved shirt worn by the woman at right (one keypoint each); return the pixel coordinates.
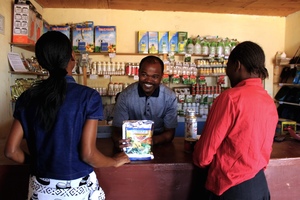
(236, 141)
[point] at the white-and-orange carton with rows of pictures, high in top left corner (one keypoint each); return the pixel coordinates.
(24, 24)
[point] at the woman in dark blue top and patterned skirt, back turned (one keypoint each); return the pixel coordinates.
(59, 119)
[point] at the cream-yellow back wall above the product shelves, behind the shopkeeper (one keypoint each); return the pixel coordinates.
(269, 32)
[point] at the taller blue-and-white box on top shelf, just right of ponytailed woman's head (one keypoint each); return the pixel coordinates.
(83, 37)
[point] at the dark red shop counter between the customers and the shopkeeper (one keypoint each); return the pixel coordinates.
(169, 176)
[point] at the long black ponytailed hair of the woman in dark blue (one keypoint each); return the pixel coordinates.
(53, 51)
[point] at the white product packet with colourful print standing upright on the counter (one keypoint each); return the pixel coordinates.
(140, 134)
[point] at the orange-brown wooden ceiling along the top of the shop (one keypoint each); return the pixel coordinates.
(249, 7)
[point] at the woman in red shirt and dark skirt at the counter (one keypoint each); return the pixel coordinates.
(236, 142)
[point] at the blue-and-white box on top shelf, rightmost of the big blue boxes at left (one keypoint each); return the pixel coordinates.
(105, 39)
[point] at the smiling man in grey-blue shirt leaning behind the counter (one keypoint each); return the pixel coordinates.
(147, 99)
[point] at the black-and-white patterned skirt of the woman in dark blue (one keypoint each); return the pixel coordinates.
(85, 188)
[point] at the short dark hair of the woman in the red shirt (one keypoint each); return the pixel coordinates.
(252, 56)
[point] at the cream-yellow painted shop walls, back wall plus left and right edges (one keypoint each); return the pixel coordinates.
(269, 32)
